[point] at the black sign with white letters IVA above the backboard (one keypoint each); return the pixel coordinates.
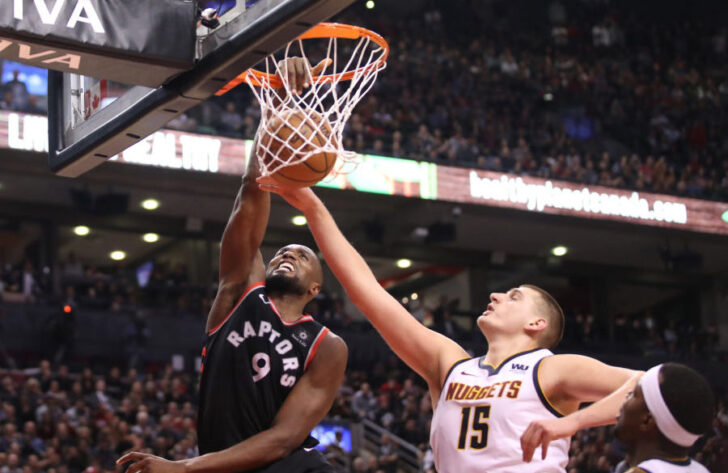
(125, 41)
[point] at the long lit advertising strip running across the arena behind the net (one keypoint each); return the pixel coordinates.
(409, 178)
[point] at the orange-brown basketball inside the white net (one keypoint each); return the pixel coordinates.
(289, 137)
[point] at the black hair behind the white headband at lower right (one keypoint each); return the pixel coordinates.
(688, 396)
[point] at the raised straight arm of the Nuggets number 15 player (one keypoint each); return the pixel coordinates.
(428, 353)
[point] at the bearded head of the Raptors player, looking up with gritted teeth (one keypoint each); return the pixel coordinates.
(294, 270)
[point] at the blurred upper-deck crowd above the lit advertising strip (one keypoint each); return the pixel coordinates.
(590, 95)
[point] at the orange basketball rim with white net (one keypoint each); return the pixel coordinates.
(328, 101)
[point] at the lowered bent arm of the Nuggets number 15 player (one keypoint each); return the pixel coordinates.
(570, 380)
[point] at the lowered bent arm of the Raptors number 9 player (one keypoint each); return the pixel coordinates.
(303, 409)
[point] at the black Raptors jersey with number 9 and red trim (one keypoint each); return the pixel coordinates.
(251, 362)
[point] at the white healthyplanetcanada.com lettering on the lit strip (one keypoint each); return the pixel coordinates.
(540, 197)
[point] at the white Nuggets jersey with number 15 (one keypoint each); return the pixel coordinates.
(482, 413)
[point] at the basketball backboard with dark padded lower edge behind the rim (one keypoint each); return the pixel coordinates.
(93, 119)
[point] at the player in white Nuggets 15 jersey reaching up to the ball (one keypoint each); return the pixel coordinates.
(491, 412)
